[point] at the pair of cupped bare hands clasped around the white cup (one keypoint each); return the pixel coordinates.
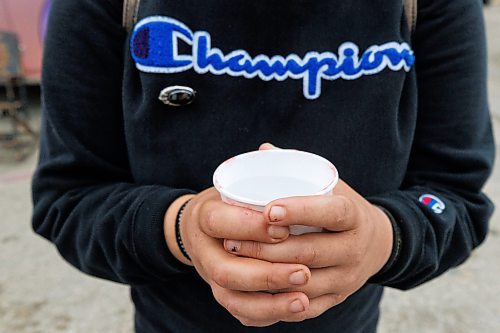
(262, 274)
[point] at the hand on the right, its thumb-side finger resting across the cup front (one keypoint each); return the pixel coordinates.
(356, 244)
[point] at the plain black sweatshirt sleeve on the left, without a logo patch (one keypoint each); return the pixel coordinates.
(85, 199)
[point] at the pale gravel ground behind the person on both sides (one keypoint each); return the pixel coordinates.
(39, 292)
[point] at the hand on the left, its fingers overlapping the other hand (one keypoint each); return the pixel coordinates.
(239, 283)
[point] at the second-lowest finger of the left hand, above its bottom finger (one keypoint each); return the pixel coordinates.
(247, 274)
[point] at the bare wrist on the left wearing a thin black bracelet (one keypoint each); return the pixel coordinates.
(169, 228)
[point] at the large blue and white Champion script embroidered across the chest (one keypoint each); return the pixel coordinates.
(155, 49)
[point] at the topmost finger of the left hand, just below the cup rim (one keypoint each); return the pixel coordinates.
(220, 220)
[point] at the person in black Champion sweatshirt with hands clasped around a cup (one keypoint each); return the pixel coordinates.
(135, 123)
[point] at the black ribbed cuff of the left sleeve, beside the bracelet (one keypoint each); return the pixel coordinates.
(149, 244)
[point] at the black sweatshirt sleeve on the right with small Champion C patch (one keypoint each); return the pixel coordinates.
(440, 214)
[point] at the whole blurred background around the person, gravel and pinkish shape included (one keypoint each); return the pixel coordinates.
(39, 292)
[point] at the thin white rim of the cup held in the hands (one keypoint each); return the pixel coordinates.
(233, 197)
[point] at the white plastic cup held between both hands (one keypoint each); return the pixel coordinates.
(254, 179)
